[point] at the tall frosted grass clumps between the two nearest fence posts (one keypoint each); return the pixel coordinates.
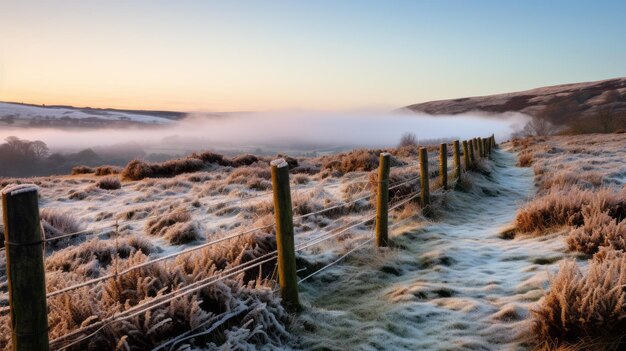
(240, 312)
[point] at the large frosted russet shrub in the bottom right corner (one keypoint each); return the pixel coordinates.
(579, 304)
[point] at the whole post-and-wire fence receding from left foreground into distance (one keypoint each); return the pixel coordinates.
(24, 240)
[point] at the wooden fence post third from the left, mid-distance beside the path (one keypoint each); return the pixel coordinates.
(382, 201)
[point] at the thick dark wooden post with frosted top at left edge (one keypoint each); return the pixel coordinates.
(25, 268)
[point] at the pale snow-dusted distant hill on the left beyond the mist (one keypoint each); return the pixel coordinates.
(27, 115)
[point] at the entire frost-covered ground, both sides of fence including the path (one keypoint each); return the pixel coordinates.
(465, 277)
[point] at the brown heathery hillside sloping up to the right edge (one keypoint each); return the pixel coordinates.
(560, 104)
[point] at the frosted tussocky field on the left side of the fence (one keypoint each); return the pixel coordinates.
(162, 216)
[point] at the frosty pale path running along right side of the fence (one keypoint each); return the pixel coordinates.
(453, 284)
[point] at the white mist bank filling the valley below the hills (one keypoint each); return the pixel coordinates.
(282, 128)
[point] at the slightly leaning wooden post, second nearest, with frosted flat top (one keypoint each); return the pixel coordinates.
(287, 277)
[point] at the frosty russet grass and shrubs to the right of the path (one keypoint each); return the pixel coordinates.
(580, 186)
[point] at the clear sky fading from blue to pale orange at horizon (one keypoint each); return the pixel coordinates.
(299, 55)
